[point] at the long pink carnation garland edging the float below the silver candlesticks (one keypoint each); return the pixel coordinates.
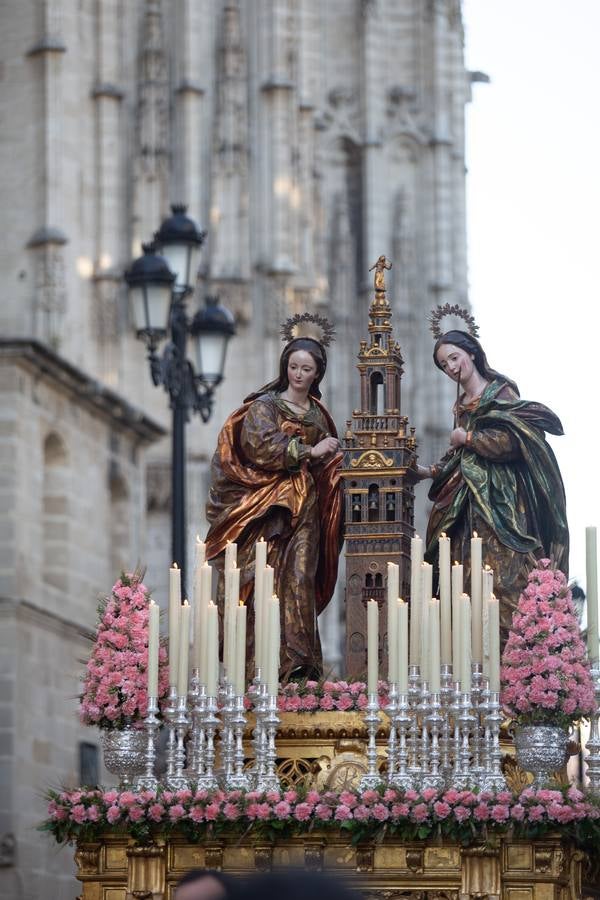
(465, 816)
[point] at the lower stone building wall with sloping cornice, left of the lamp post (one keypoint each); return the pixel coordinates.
(72, 504)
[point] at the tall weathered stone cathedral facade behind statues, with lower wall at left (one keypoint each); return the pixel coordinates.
(308, 137)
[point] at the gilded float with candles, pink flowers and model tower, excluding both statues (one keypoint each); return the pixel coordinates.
(409, 787)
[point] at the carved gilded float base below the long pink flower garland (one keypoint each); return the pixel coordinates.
(544, 869)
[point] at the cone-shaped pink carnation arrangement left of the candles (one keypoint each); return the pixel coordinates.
(115, 689)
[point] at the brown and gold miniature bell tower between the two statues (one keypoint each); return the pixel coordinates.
(379, 473)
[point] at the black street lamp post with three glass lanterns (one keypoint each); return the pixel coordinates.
(159, 283)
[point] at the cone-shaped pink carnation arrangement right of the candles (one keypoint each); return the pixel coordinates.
(545, 670)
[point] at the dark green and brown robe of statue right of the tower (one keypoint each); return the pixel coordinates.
(505, 485)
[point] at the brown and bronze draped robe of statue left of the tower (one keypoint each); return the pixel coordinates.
(263, 484)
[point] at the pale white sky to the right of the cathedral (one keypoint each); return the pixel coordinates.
(533, 154)
